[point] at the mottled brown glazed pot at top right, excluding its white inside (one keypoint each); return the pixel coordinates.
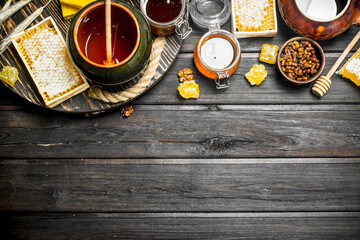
(319, 29)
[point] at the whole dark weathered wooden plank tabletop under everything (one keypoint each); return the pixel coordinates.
(269, 162)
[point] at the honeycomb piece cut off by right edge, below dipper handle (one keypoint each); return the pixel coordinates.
(351, 69)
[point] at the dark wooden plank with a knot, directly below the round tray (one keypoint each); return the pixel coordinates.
(172, 131)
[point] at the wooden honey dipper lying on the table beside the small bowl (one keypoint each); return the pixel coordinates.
(322, 85)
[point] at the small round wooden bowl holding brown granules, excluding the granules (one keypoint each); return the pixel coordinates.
(319, 53)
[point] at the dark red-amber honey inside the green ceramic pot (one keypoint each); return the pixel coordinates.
(91, 35)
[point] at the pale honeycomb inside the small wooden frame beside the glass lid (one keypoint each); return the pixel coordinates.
(254, 15)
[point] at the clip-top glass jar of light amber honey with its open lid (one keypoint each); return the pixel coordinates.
(217, 53)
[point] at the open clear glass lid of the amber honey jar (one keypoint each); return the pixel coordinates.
(210, 13)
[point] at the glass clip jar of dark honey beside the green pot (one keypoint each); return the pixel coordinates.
(167, 16)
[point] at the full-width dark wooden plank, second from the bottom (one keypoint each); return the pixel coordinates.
(101, 185)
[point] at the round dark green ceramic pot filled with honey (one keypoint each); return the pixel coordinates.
(131, 37)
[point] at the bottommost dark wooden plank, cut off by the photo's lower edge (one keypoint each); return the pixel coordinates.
(180, 226)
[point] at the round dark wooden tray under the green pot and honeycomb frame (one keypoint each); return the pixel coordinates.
(82, 103)
